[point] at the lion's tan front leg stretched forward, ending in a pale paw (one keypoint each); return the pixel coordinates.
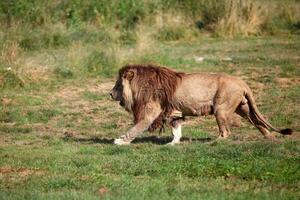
(151, 112)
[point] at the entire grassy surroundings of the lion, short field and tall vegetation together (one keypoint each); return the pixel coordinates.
(59, 59)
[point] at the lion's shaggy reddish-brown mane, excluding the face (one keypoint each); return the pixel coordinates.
(152, 83)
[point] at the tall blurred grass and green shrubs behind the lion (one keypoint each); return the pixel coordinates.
(44, 40)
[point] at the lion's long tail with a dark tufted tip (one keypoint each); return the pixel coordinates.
(259, 118)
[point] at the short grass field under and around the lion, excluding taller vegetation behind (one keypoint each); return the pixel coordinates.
(56, 136)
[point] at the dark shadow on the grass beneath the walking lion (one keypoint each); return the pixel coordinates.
(149, 139)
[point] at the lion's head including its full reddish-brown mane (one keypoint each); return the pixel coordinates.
(139, 84)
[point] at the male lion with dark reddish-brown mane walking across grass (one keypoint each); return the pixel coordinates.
(157, 95)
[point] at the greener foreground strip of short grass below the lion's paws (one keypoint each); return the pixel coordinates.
(191, 171)
